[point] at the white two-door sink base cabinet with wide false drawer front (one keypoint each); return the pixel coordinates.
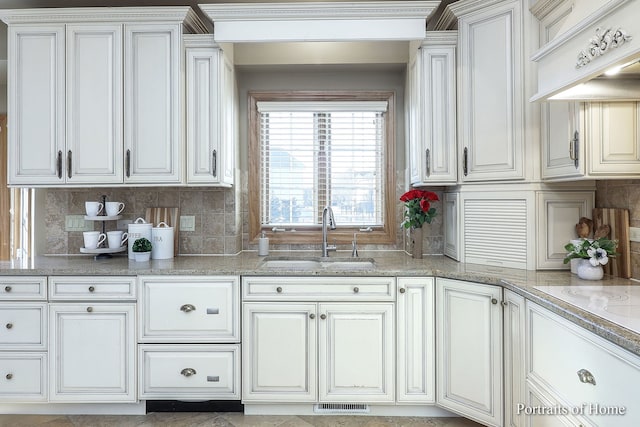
(336, 351)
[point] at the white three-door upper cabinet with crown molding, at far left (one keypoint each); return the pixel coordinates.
(95, 95)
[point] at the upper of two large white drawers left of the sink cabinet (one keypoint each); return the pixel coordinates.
(189, 309)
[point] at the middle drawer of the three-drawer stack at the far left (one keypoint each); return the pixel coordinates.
(23, 326)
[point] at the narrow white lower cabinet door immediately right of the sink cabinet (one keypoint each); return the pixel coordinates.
(415, 377)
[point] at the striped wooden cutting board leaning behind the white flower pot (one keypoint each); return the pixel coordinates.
(618, 220)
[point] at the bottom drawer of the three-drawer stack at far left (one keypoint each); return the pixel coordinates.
(23, 377)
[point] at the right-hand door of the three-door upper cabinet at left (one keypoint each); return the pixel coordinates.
(152, 105)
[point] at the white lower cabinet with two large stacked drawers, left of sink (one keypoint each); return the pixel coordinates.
(189, 334)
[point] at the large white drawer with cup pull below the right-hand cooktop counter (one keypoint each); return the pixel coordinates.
(560, 353)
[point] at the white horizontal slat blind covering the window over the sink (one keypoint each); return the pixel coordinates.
(314, 154)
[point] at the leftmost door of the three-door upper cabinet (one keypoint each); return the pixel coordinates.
(36, 104)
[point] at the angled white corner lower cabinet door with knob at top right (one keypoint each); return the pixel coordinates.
(469, 349)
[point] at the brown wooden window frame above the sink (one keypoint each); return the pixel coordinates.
(313, 234)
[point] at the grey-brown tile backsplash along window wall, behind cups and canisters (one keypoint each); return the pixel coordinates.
(221, 218)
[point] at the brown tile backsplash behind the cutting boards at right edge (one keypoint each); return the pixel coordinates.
(624, 194)
